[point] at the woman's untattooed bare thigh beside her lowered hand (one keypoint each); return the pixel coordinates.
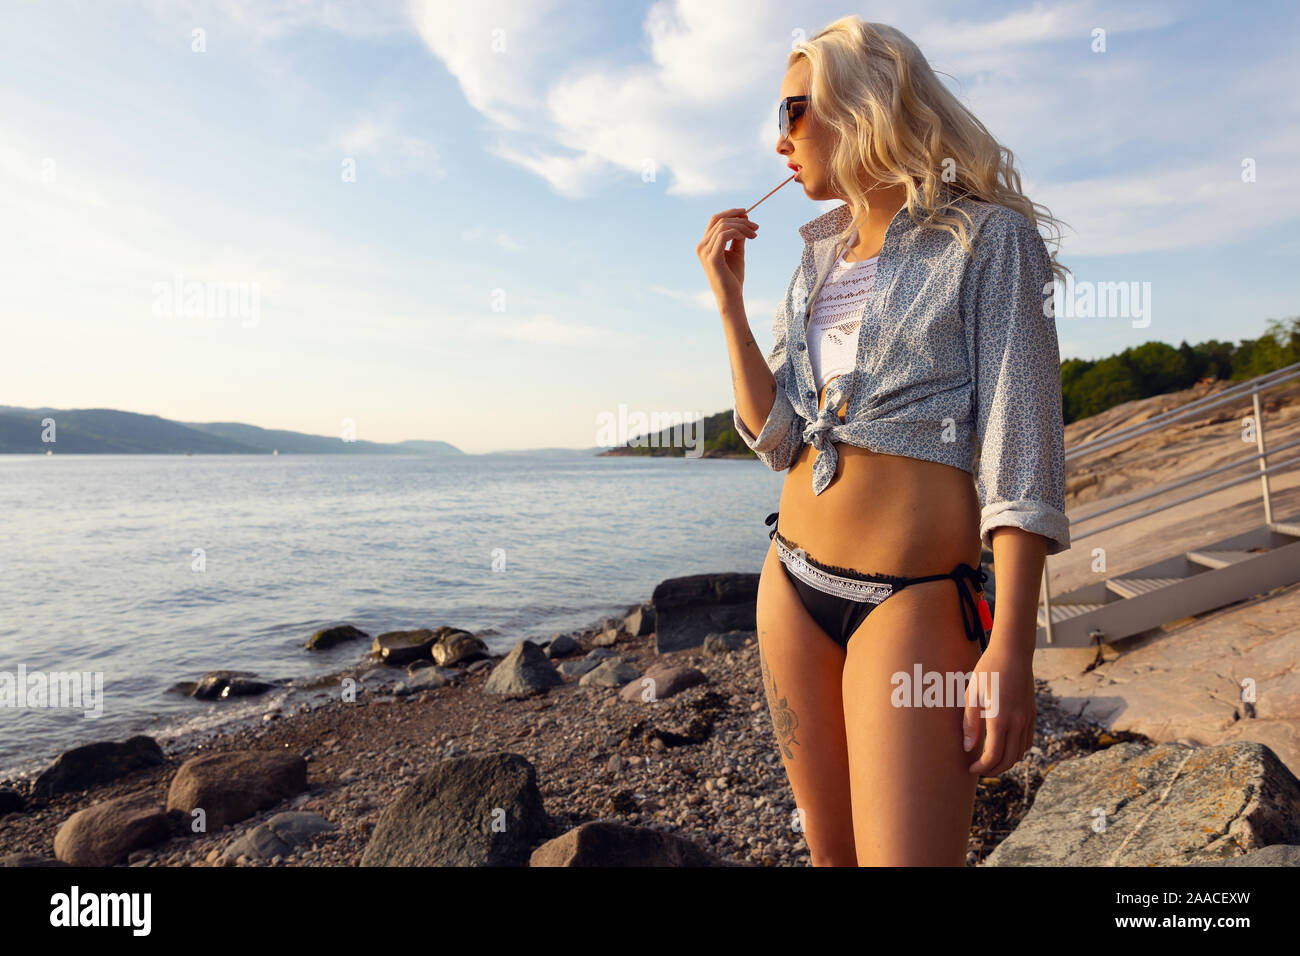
(913, 794)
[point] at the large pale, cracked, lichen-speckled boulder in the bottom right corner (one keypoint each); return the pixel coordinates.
(1165, 806)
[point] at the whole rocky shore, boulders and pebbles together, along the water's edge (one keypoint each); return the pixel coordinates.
(434, 752)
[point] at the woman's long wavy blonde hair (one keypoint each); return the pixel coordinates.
(899, 124)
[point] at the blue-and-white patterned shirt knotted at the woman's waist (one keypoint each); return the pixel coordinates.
(957, 364)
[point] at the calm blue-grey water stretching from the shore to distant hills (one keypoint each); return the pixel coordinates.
(97, 572)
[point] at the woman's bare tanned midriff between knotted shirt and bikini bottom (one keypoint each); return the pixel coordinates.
(882, 514)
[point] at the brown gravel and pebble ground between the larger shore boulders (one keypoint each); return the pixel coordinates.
(599, 758)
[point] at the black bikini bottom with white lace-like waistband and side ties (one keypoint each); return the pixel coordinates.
(839, 599)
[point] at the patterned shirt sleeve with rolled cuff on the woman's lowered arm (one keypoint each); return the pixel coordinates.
(1019, 418)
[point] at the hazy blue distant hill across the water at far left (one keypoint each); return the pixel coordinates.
(106, 431)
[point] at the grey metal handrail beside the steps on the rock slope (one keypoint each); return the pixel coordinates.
(1253, 387)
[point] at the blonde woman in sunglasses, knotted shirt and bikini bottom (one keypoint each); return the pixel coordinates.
(916, 339)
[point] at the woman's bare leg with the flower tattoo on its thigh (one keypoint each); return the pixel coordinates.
(801, 678)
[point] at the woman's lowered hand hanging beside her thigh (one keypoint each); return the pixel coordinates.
(1002, 687)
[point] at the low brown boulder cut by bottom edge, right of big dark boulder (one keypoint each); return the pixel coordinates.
(608, 843)
